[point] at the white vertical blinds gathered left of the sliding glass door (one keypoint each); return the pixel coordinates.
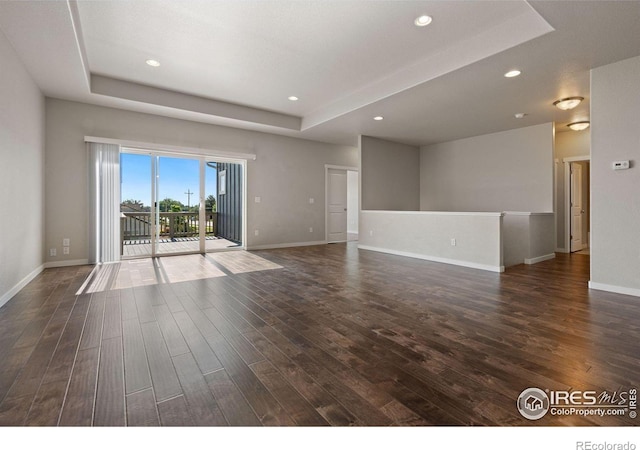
(104, 202)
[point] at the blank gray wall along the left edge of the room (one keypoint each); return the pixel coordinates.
(21, 174)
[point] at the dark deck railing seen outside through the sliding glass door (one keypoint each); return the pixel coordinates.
(137, 225)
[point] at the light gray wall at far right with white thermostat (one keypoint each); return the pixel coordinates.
(615, 195)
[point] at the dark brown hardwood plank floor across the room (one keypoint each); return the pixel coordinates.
(336, 336)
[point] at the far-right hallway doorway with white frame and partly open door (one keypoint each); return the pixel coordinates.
(578, 223)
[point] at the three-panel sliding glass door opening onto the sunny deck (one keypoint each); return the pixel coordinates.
(171, 204)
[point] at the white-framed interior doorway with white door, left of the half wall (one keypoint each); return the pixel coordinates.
(342, 203)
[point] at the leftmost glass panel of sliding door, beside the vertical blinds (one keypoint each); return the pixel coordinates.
(136, 220)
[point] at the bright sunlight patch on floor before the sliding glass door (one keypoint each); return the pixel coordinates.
(172, 269)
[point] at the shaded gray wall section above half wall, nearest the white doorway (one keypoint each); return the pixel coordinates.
(390, 175)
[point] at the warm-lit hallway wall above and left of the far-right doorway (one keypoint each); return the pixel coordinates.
(568, 144)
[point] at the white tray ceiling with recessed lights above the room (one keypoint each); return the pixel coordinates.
(235, 62)
